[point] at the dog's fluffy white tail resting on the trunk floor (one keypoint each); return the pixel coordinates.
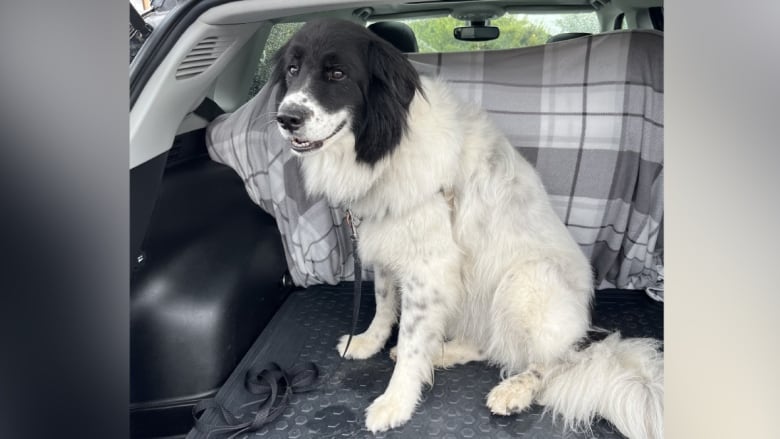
(620, 380)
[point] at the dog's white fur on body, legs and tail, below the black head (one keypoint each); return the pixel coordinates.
(459, 226)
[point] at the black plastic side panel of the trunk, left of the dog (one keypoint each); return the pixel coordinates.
(209, 283)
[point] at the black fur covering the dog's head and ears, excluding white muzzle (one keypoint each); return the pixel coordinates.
(379, 86)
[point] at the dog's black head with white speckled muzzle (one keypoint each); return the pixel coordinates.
(336, 78)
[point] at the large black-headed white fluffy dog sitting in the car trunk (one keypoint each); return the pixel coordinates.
(461, 235)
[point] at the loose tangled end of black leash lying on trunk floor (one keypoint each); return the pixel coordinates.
(272, 385)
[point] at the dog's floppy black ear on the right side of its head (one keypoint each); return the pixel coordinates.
(392, 84)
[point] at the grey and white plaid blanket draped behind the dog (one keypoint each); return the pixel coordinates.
(588, 113)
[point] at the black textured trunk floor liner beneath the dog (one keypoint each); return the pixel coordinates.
(307, 327)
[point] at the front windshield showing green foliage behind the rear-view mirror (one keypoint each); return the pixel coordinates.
(517, 30)
